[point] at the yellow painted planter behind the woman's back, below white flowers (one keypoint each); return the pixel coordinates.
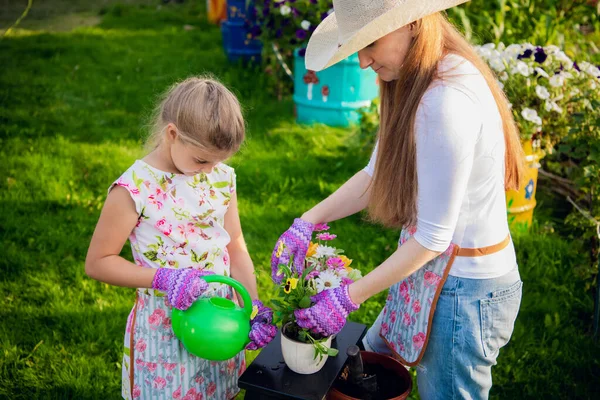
(520, 204)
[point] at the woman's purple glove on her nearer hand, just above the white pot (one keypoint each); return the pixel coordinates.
(328, 315)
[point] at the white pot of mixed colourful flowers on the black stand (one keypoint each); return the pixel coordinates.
(325, 267)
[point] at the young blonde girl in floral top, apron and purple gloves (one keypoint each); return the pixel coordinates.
(178, 207)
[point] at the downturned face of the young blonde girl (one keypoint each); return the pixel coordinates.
(191, 160)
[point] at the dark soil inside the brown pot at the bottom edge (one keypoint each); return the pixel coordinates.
(388, 384)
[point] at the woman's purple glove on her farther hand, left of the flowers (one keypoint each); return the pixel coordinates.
(294, 242)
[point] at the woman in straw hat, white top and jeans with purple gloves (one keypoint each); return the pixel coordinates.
(447, 150)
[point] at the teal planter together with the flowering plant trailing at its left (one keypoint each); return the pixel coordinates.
(332, 96)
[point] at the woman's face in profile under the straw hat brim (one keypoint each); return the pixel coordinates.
(387, 54)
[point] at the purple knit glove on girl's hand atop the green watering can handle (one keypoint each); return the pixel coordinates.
(183, 286)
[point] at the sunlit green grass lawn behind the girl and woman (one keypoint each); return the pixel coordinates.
(72, 109)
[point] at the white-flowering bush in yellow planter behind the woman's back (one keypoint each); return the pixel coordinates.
(546, 90)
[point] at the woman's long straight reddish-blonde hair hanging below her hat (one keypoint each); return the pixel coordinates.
(393, 199)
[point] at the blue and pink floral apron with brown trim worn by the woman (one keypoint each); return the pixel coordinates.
(410, 305)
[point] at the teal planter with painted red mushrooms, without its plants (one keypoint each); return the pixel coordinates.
(333, 96)
